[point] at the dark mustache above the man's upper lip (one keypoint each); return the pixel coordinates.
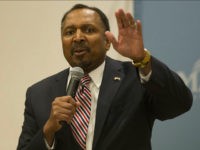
(79, 47)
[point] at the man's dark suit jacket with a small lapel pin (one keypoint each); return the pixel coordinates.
(125, 113)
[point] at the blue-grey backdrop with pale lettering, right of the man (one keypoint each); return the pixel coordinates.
(171, 31)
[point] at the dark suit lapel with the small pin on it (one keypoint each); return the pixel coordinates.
(112, 77)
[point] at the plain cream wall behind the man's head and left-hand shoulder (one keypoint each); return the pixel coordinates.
(30, 50)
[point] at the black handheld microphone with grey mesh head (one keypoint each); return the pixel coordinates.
(76, 74)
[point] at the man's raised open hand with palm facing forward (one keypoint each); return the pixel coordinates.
(130, 40)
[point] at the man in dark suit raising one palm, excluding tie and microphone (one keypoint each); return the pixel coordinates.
(127, 97)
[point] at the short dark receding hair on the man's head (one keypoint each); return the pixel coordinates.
(103, 17)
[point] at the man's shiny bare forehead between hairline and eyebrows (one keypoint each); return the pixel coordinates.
(82, 16)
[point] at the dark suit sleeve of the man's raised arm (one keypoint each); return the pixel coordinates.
(167, 94)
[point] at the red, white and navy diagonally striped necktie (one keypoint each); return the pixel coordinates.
(80, 121)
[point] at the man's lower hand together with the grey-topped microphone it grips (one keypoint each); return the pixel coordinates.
(64, 107)
